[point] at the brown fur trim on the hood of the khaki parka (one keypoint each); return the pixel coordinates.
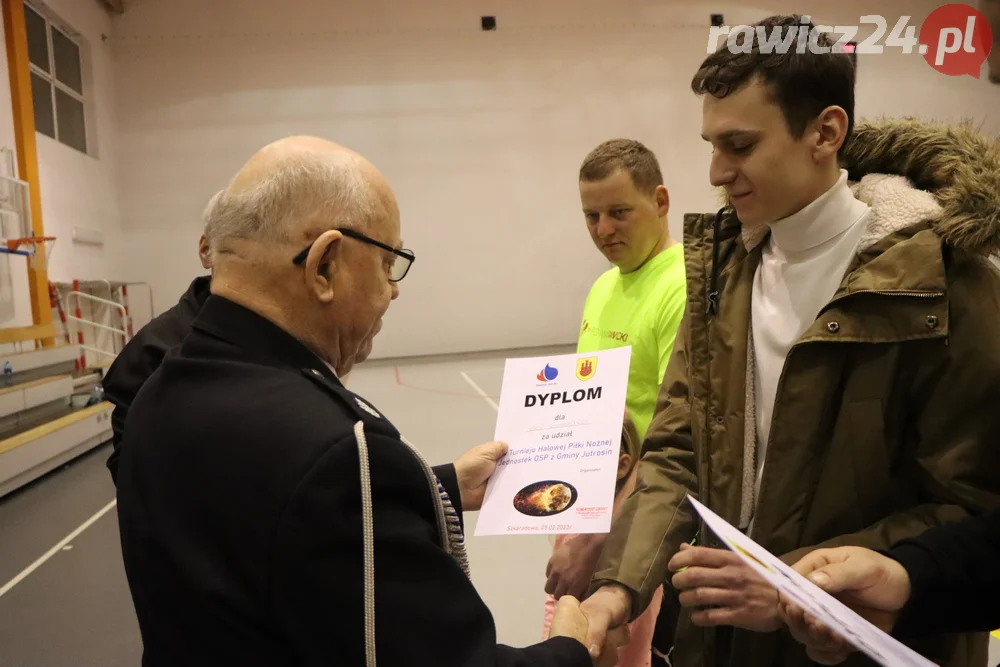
(957, 164)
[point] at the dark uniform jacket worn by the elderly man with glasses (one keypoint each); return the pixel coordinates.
(239, 503)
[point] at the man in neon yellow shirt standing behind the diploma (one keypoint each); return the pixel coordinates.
(638, 302)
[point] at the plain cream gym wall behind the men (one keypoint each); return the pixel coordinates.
(480, 133)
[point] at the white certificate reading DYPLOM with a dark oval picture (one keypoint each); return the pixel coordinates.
(562, 419)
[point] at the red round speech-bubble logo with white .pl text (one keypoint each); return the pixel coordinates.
(956, 39)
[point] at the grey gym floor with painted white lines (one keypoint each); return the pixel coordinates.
(64, 599)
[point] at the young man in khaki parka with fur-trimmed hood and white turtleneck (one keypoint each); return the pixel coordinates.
(836, 378)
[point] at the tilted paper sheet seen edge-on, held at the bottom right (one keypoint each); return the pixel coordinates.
(867, 638)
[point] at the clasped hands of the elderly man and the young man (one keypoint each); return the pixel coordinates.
(599, 623)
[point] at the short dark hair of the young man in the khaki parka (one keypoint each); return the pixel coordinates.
(801, 84)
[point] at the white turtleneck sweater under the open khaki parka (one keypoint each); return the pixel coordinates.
(802, 265)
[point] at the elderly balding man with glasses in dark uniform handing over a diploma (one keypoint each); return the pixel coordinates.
(268, 515)
